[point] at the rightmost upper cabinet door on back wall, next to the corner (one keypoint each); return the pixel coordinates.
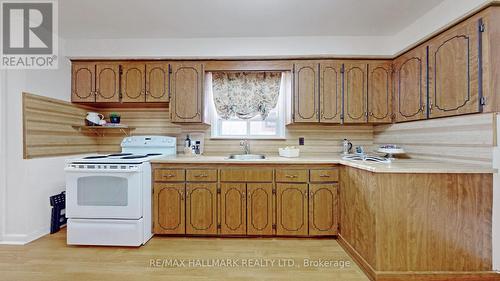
(380, 92)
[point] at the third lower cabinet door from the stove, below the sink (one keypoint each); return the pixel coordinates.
(233, 209)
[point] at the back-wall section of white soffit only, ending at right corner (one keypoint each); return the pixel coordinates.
(229, 47)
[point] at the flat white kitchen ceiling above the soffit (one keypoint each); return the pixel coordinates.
(236, 18)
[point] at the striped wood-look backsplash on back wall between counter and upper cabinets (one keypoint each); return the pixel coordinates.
(319, 139)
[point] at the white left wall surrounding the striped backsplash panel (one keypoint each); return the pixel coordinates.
(29, 183)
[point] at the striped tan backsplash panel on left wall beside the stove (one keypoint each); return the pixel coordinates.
(48, 128)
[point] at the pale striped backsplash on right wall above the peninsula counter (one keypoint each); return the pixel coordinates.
(467, 139)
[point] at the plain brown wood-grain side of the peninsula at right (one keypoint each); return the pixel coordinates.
(417, 226)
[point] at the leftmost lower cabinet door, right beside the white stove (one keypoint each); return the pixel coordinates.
(169, 208)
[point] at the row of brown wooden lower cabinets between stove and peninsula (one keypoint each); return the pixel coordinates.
(291, 200)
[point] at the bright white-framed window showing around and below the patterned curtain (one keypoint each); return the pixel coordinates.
(273, 127)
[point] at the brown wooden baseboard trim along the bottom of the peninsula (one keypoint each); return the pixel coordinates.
(375, 275)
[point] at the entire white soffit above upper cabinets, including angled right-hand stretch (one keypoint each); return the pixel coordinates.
(341, 46)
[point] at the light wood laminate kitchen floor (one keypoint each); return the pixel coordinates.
(49, 258)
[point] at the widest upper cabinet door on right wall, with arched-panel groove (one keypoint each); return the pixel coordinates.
(453, 71)
